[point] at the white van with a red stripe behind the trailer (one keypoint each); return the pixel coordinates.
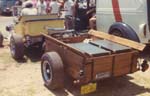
(126, 18)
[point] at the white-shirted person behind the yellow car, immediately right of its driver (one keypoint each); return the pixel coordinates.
(41, 7)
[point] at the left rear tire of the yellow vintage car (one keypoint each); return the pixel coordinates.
(17, 46)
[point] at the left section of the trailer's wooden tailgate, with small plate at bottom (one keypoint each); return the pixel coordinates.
(102, 67)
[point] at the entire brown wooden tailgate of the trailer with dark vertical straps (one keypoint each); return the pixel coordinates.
(115, 65)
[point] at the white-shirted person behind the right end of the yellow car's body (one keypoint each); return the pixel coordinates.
(54, 7)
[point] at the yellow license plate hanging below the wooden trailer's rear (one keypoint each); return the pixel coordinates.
(85, 89)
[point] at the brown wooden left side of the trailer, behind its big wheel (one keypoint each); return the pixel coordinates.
(73, 62)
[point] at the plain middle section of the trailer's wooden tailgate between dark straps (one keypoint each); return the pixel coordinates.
(122, 64)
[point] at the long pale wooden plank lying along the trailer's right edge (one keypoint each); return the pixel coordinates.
(123, 41)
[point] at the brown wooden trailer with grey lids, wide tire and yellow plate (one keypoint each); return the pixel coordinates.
(87, 58)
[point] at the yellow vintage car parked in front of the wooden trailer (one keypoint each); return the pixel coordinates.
(27, 32)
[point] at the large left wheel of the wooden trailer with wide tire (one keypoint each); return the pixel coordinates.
(52, 70)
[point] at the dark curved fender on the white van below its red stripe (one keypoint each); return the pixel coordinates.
(125, 30)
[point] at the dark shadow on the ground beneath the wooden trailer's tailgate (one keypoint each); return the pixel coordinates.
(120, 86)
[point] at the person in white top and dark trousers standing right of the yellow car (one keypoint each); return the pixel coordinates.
(69, 13)
